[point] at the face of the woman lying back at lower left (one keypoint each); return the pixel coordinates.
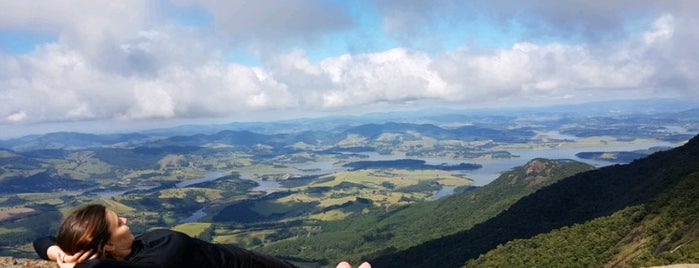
(119, 245)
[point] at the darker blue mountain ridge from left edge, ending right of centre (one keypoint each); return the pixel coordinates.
(73, 141)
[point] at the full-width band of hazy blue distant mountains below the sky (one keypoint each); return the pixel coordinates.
(511, 126)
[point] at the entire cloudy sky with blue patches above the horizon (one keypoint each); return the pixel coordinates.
(94, 65)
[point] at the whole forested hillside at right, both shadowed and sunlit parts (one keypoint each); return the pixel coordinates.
(642, 212)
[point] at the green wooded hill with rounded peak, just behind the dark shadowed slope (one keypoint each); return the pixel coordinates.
(398, 229)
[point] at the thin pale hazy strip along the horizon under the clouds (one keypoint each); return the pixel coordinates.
(648, 106)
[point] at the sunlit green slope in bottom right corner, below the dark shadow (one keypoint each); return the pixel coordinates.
(661, 232)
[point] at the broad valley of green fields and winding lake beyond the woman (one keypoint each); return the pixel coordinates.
(268, 191)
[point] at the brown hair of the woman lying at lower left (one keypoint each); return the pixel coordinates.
(85, 229)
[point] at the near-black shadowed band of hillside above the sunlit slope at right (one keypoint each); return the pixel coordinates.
(576, 199)
